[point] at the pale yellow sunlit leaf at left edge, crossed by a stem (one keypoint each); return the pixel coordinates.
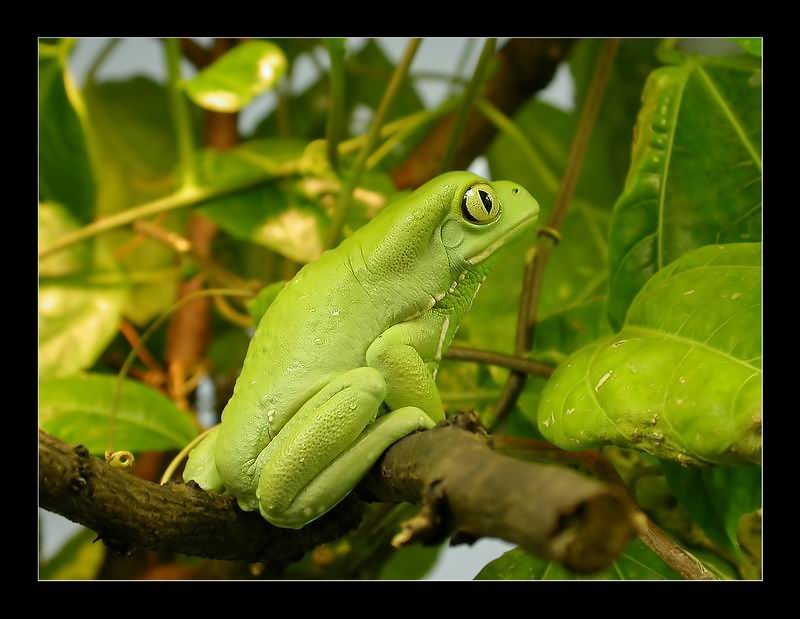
(79, 312)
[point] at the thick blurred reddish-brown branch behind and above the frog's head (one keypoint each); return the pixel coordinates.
(525, 66)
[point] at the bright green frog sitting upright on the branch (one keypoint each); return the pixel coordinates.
(343, 362)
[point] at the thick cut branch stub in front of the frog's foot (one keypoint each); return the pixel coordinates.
(548, 510)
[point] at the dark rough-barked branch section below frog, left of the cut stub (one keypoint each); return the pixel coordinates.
(128, 512)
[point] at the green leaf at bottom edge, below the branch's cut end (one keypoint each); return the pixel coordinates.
(637, 562)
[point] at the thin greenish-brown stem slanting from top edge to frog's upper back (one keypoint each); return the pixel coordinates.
(343, 202)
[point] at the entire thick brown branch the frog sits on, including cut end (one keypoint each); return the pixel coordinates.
(465, 488)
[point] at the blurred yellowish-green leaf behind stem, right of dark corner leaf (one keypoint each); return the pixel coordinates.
(132, 133)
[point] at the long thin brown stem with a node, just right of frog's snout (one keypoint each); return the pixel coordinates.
(549, 235)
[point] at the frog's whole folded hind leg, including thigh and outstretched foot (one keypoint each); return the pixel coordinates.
(326, 448)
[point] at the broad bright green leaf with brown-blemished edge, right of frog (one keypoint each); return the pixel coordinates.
(682, 379)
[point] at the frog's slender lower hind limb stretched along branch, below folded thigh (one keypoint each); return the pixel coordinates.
(343, 474)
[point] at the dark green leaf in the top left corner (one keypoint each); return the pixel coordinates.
(65, 174)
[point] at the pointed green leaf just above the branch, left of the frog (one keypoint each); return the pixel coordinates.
(77, 409)
